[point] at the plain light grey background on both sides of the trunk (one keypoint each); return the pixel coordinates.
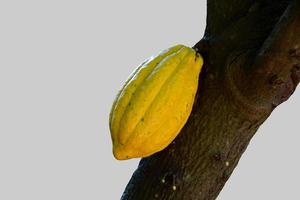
(61, 65)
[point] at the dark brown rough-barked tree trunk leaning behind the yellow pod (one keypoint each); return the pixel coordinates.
(251, 50)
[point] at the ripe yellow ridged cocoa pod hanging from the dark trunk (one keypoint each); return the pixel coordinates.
(155, 103)
